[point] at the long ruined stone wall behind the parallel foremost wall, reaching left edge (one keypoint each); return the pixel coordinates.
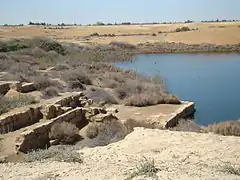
(30, 115)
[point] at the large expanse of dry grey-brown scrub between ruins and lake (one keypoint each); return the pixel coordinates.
(83, 68)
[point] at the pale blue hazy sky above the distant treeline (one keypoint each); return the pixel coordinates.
(110, 11)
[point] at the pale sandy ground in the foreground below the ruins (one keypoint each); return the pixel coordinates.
(177, 155)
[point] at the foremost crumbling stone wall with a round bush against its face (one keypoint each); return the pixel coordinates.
(38, 137)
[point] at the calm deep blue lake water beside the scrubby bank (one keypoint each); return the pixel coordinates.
(212, 81)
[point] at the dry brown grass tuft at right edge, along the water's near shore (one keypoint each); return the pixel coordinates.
(227, 128)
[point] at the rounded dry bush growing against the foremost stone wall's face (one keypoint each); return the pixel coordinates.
(64, 133)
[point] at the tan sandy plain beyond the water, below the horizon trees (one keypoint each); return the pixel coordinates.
(216, 33)
